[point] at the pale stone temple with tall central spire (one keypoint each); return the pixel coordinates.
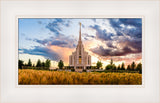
(80, 59)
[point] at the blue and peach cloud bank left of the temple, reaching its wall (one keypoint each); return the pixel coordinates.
(52, 52)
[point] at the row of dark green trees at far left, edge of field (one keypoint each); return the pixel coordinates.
(39, 65)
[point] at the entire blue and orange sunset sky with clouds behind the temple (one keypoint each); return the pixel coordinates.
(119, 39)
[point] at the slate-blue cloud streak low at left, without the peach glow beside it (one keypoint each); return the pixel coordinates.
(42, 51)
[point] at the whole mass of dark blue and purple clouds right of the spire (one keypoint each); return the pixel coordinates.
(128, 37)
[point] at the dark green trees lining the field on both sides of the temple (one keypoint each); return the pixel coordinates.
(46, 65)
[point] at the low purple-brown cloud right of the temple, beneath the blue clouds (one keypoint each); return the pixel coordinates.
(129, 48)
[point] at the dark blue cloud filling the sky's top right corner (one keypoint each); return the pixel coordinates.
(136, 23)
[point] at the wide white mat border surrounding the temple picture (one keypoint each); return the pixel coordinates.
(8, 92)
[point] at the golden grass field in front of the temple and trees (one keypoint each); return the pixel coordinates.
(42, 77)
